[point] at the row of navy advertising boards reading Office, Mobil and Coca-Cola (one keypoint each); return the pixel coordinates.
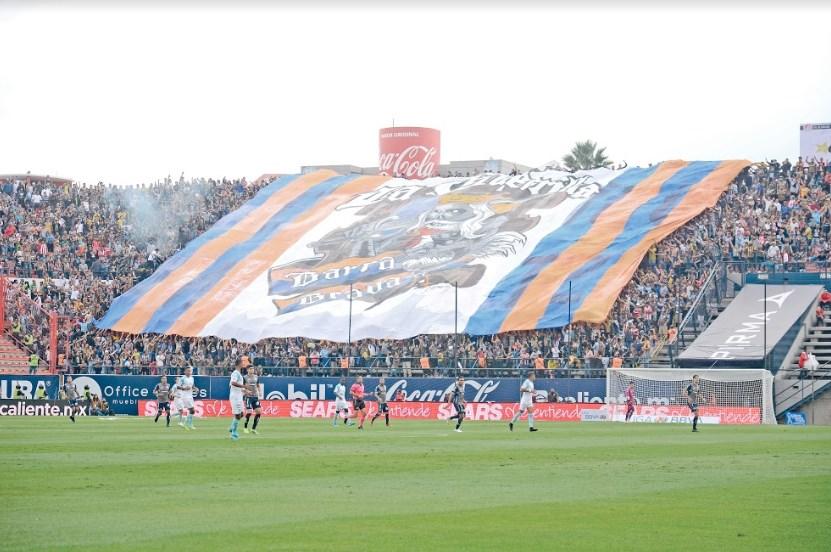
(123, 393)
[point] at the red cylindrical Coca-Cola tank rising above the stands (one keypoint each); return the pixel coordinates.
(409, 152)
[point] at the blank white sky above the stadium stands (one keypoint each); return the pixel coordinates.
(131, 94)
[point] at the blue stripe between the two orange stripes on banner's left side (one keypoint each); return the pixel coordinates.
(185, 297)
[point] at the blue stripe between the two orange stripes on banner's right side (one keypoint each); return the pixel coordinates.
(641, 222)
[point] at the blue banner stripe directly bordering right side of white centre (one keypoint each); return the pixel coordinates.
(490, 315)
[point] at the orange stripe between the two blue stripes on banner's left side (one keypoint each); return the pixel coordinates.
(136, 319)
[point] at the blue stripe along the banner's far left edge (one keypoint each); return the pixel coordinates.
(125, 302)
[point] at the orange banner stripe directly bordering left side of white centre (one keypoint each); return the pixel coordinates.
(246, 271)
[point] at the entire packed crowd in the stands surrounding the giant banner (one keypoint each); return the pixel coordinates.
(774, 216)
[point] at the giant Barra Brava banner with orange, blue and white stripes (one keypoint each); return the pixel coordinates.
(311, 252)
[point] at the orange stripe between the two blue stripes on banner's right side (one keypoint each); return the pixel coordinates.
(532, 303)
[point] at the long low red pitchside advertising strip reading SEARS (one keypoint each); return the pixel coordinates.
(495, 412)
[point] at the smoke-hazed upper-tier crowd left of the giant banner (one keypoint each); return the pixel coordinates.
(100, 232)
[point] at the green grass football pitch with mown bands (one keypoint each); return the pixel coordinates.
(130, 484)
